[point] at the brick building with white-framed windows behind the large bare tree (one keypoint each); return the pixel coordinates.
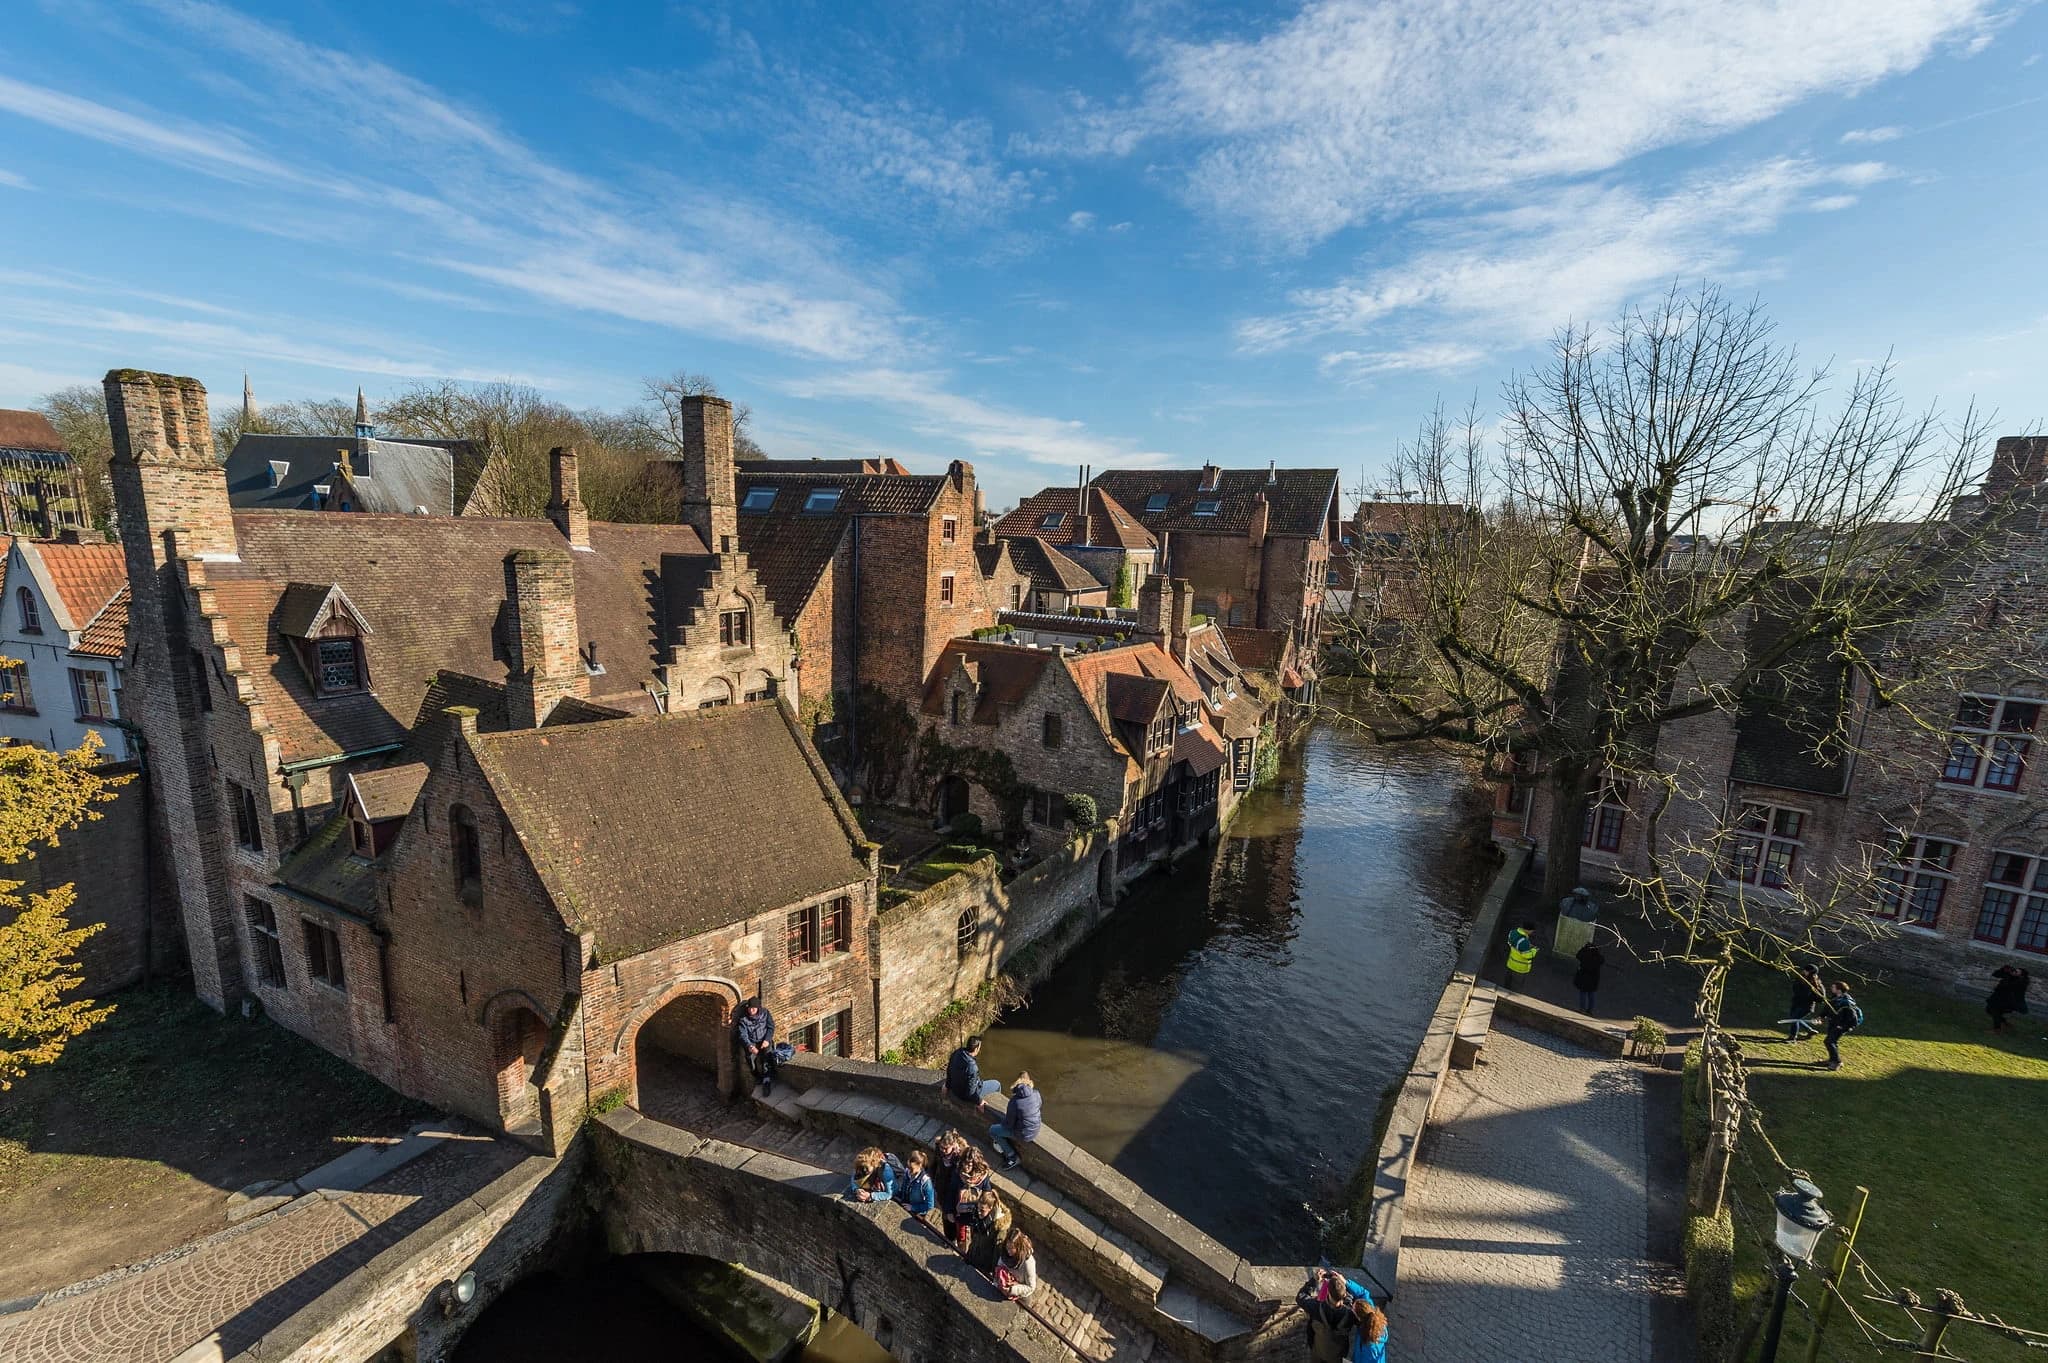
(1955, 824)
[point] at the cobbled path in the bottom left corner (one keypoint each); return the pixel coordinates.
(253, 1278)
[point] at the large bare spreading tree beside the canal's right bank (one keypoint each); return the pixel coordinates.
(1672, 521)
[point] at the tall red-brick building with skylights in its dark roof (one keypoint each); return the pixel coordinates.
(873, 572)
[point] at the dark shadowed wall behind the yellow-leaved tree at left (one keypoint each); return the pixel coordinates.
(122, 883)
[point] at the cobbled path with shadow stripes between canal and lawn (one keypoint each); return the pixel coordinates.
(1527, 1233)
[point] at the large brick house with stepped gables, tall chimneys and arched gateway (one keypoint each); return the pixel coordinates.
(480, 803)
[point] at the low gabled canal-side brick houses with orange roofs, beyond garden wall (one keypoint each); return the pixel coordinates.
(1138, 726)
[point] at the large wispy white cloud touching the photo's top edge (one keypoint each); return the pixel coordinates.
(1367, 107)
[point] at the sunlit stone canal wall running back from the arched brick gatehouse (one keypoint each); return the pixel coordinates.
(923, 963)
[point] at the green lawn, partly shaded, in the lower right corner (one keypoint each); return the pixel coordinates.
(1945, 1125)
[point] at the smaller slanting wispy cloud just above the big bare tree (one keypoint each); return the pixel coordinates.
(1508, 277)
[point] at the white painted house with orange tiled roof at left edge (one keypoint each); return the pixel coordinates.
(62, 642)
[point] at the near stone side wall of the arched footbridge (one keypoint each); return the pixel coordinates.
(673, 1192)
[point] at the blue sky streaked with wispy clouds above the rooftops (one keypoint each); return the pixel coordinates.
(1027, 234)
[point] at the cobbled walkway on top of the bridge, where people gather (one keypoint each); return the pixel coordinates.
(1066, 1301)
